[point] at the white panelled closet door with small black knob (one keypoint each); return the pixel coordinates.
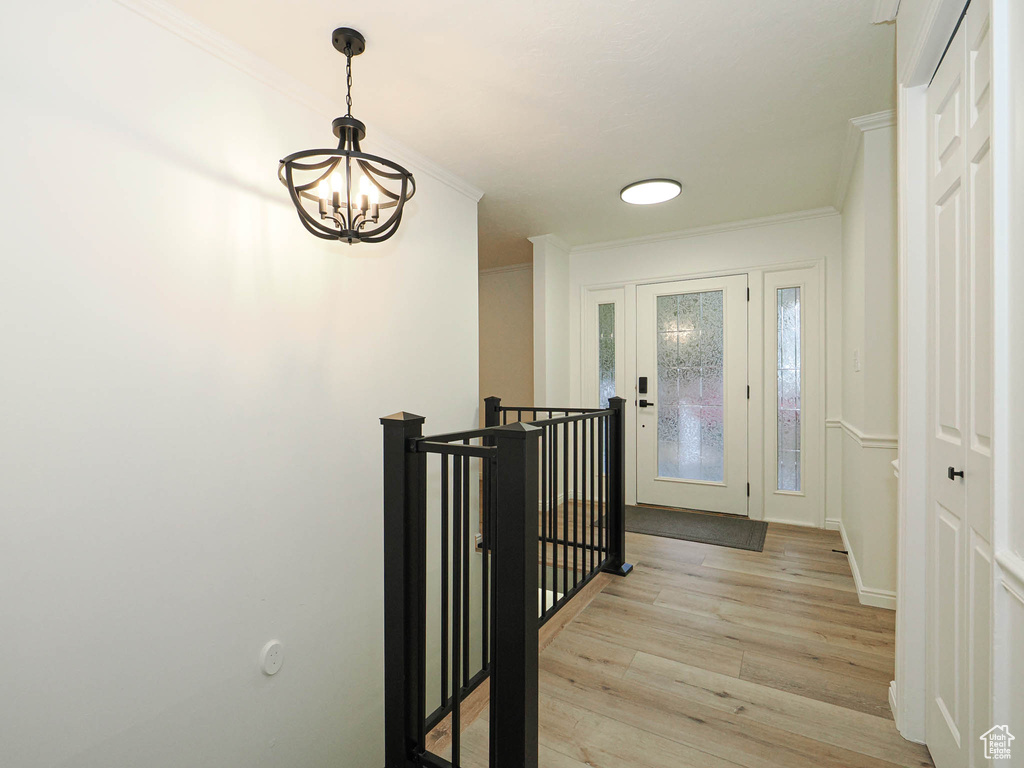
(961, 399)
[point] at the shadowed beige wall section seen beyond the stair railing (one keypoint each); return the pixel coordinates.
(507, 335)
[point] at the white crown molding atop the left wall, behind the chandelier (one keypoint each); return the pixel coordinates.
(192, 31)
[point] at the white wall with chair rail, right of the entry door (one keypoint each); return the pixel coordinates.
(869, 421)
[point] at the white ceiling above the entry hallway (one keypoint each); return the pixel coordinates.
(552, 106)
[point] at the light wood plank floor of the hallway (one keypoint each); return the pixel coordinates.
(716, 658)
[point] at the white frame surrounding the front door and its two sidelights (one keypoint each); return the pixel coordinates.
(757, 473)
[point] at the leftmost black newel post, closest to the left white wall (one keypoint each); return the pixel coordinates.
(405, 590)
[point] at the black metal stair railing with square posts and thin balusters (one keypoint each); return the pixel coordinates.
(521, 517)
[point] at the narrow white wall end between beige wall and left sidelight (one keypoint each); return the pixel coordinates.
(551, 322)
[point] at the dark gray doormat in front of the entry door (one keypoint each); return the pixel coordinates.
(739, 533)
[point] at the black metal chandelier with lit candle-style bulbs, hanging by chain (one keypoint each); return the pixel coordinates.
(340, 194)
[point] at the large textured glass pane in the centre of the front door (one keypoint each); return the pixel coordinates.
(691, 383)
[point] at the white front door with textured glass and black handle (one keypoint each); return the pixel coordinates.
(692, 422)
